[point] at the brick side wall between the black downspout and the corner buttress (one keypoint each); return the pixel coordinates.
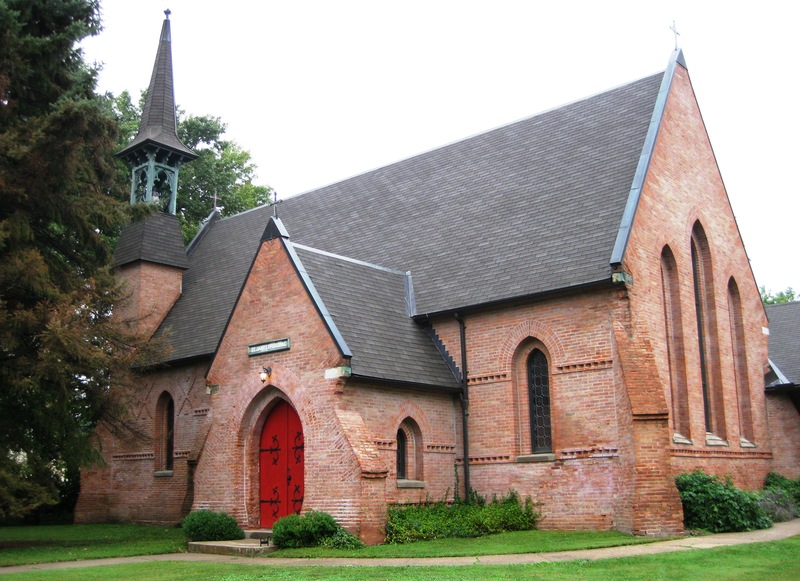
(586, 484)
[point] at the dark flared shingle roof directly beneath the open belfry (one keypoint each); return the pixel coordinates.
(157, 239)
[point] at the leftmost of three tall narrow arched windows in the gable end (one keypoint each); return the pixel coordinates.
(673, 324)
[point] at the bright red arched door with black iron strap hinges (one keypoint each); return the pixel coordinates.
(281, 460)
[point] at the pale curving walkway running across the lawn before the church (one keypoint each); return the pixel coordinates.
(779, 531)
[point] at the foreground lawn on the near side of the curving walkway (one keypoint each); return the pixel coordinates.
(776, 561)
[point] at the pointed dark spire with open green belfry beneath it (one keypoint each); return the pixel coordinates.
(156, 153)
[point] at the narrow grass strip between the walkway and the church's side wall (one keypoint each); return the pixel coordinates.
(499, 544)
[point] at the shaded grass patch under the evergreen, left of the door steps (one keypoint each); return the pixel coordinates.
(47, 544)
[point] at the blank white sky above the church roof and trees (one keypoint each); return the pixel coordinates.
(319, 91)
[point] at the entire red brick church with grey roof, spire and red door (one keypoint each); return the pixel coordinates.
(562, 306)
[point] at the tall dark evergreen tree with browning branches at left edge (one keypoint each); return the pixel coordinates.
(59, 345)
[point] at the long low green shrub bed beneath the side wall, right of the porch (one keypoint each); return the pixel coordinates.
(439, 520)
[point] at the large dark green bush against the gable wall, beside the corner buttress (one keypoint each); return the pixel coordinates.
(718, 506)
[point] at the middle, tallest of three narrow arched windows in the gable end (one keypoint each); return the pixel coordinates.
(707, 340)
